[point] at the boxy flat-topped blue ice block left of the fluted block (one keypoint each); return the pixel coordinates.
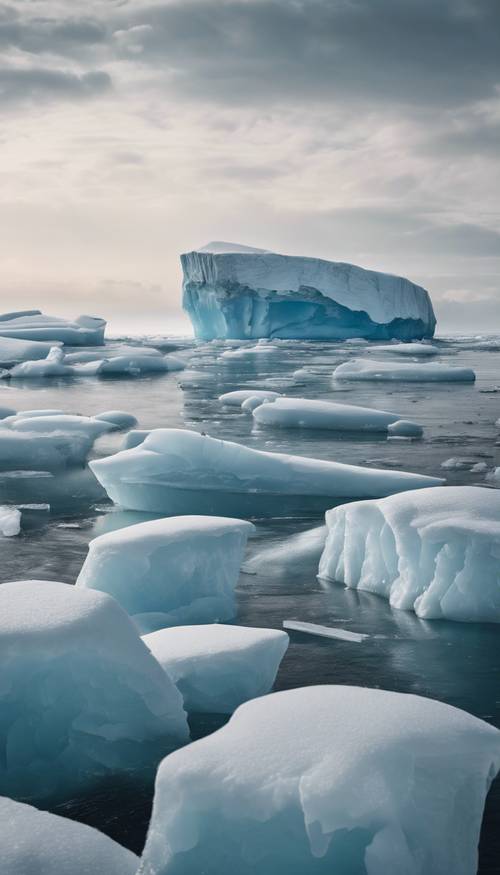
(172, 571)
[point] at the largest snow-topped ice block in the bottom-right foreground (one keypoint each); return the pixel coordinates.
(326, 779)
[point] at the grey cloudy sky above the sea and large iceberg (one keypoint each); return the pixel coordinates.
(356, 130)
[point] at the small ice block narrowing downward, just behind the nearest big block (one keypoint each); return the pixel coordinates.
(218, 667)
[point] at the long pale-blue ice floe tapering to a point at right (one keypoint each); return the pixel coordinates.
(175, 471)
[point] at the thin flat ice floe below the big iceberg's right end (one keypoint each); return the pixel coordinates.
(368, 369)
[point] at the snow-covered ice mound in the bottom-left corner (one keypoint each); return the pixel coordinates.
(34, 842)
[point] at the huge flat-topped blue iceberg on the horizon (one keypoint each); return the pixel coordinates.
(232, 291)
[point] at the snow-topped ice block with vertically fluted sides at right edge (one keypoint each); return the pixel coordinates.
(435, 552)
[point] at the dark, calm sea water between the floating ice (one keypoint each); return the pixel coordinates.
(455, 662)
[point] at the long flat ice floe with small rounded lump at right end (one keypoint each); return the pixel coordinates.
(303, 413)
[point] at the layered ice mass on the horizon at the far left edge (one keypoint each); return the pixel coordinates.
(34, 325)
